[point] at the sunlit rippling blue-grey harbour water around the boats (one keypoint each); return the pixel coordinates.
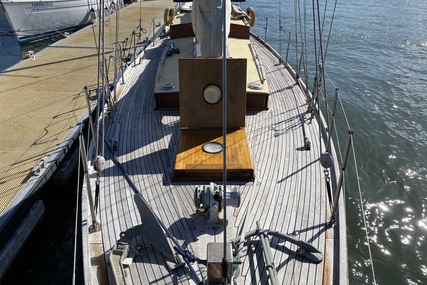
(377, 57)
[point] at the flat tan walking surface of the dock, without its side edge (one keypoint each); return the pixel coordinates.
(43, 98)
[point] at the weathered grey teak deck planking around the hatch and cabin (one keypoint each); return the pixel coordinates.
(288, 194)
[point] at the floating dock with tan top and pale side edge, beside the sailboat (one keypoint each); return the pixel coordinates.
(44, 106)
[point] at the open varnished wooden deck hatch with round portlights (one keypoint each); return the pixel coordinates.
(201, 122)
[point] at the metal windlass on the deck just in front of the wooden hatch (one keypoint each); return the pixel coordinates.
(208, 199)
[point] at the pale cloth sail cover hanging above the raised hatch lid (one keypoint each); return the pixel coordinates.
(207, 19)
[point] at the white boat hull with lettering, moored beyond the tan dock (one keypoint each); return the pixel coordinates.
(34, 20)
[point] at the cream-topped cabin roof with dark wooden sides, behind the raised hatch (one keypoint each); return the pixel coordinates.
(182, 44)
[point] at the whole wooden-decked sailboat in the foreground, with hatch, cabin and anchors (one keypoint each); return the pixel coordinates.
(209, 121)
